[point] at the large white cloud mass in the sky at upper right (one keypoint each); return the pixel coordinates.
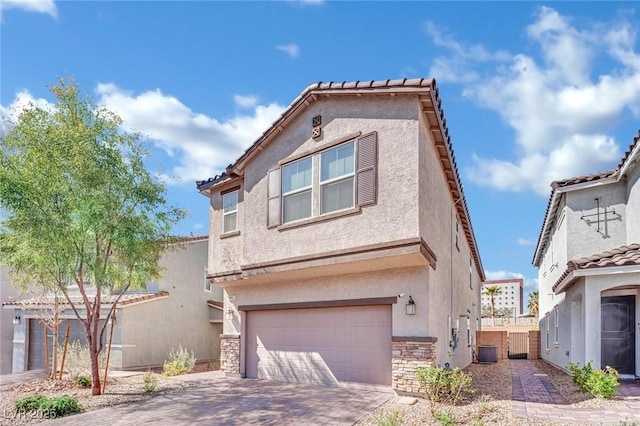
(559, 105)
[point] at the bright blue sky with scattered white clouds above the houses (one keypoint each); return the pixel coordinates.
(532, 92)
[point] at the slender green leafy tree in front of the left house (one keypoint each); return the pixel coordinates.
(79, 207)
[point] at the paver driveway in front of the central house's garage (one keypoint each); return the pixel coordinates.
(227, 401)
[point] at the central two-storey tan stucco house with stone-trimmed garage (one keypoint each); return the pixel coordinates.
(343, 241)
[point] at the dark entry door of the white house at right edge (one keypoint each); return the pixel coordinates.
(618, 345)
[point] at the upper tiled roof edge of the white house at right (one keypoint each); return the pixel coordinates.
(554, 201)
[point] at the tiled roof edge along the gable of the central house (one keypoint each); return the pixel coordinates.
(432, 109)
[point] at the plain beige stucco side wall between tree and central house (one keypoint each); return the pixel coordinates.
(151, 329)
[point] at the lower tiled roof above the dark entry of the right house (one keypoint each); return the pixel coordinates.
(620, 256)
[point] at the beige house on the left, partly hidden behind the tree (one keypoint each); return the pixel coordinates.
(182, 308)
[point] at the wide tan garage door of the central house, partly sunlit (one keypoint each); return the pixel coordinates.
(321, 345)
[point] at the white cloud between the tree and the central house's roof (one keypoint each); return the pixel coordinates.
(201, 145)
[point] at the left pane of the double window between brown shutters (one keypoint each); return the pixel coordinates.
(296, 189)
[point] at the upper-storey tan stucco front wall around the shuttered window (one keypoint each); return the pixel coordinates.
(394, 217)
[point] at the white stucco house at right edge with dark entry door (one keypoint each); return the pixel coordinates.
(588, 260)
